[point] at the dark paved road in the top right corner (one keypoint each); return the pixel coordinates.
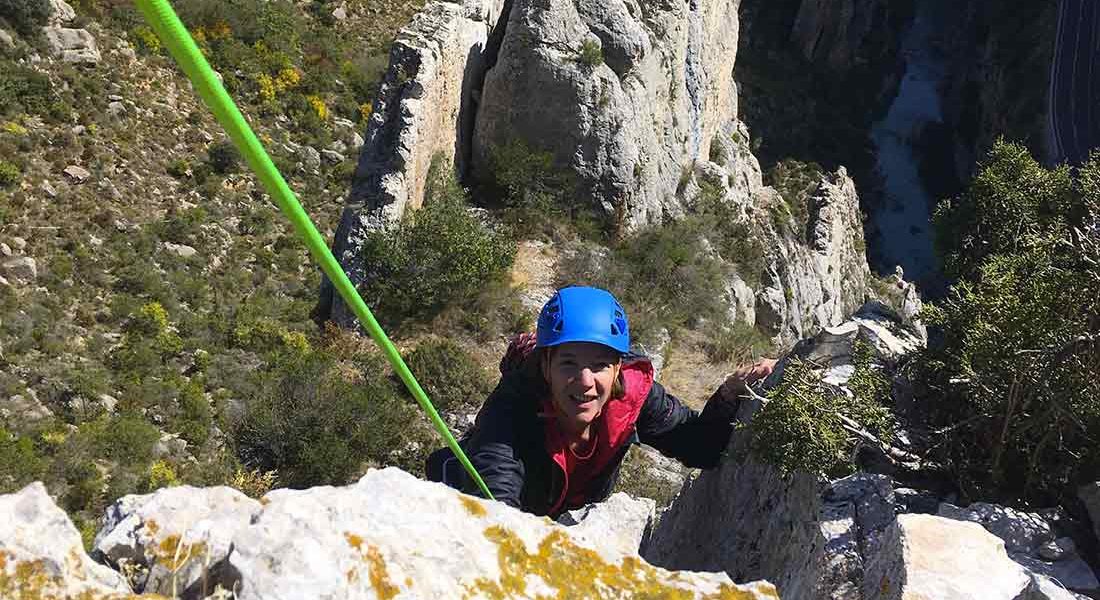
(1075, 82)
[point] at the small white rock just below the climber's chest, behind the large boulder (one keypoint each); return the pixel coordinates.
(621, 522)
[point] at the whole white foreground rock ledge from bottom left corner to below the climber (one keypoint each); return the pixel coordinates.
(389, 536)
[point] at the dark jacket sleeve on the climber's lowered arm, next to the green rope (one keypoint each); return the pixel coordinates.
(493, 448)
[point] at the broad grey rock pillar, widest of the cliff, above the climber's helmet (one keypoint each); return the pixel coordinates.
(631, 95)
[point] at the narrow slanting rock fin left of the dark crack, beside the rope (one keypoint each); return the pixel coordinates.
(425, 108)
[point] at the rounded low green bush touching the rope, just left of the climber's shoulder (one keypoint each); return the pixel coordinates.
(449, 376)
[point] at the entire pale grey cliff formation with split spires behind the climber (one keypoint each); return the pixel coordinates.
(637, 105)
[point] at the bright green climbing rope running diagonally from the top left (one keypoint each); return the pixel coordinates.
(175, 37)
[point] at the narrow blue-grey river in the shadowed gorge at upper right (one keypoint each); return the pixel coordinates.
(903, 217)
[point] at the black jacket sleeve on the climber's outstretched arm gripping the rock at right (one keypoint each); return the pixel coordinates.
(679, 432)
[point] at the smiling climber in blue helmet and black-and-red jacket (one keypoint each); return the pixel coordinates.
(570, 402)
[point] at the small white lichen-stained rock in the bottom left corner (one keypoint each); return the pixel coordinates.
(42, 557)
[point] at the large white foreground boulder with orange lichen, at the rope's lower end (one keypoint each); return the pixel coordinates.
(392, 536)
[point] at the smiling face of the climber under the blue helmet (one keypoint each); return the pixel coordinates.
(581, 377)
